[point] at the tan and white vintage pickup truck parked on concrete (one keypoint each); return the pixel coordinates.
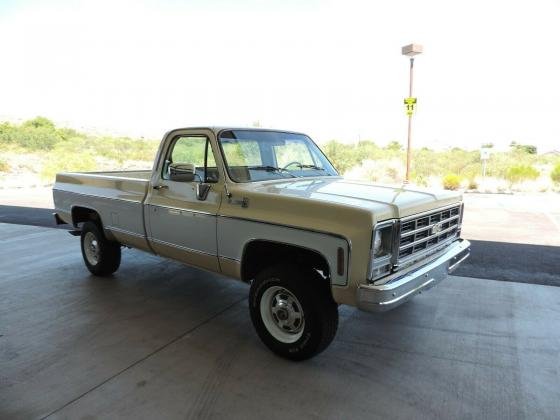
(268, 208)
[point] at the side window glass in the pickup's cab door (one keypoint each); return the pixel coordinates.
(195, 150)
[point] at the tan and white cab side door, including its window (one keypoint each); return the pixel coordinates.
(181, 221)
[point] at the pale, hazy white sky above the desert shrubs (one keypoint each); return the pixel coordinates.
(332, 69)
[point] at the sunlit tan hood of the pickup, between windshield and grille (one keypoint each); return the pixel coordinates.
(383, 201)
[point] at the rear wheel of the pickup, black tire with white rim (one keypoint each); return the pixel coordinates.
(101, 256)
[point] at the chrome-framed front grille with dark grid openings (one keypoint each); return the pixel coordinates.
(428, 230)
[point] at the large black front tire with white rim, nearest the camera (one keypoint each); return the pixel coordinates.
(279, 297)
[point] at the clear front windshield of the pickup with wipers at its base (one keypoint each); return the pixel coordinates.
(253, 155)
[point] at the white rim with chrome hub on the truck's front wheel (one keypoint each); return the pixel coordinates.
(282, 314)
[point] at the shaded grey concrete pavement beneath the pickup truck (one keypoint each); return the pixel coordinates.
(160, 340)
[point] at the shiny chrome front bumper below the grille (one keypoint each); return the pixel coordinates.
(383, 297)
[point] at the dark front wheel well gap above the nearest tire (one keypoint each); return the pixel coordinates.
(260, 254)
